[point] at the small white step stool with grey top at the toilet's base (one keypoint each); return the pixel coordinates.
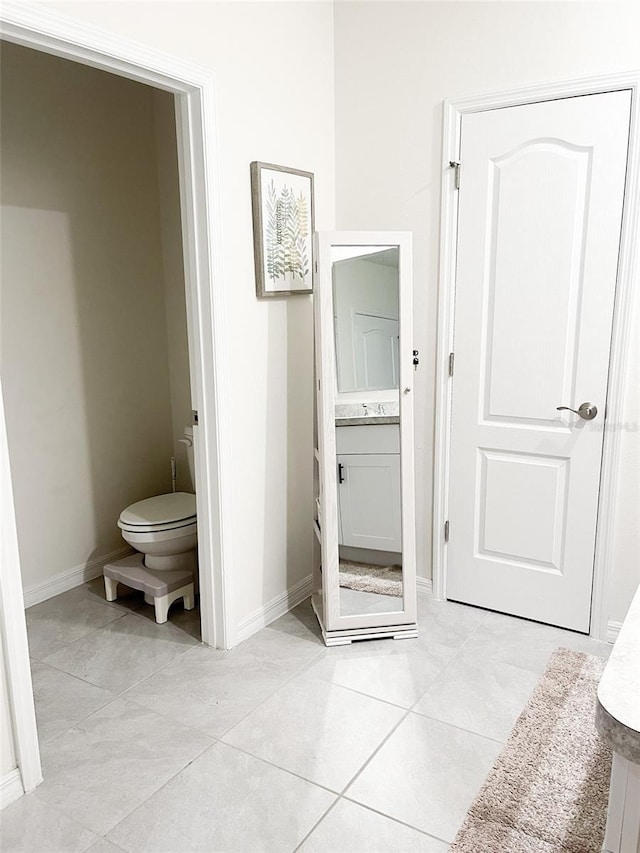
(164, 587)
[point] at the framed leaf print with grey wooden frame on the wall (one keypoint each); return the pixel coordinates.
(282, 229)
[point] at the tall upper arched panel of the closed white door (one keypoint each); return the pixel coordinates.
(520, 379)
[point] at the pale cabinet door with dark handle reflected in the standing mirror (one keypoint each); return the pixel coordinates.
(369, 499)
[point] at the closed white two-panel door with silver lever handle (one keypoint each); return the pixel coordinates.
(540, 210)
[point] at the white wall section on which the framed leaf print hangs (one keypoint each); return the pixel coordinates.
(275, 102)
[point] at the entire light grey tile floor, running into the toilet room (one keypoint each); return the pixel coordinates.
(153, 742)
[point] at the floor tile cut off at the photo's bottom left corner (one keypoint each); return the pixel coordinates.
(31, 826)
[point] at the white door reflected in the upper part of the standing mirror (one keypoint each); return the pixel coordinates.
(375, 345)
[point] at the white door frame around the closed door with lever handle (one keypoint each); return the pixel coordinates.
(628, 269)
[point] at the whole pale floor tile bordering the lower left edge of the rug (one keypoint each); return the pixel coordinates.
(426, 775)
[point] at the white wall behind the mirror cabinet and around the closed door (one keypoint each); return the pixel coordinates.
(395, 64)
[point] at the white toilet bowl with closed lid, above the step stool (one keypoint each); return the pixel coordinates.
(164, 529)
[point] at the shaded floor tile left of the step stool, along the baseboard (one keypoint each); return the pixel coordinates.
(62, 620)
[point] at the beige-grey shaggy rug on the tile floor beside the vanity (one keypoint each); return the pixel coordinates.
(549, 788)
